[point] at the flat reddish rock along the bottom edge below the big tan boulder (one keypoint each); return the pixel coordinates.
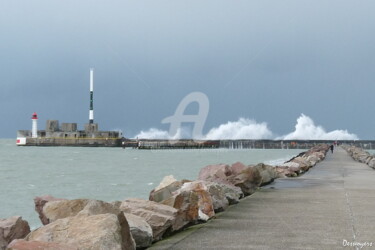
(31, 245)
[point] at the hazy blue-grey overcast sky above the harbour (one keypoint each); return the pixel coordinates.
(268, 60)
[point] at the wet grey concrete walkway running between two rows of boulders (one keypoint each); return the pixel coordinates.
(333, 202)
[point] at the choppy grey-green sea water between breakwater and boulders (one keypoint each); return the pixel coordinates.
(107, 174)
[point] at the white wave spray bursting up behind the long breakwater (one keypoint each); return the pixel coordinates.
(244, 128)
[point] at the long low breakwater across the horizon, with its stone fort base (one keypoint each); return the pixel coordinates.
(111, 139)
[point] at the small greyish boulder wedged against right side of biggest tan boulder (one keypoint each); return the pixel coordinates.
(140, 230)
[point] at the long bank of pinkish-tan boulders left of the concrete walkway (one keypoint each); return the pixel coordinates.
(136, 223)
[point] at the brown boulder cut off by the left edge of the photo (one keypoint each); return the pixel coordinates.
(11, 229)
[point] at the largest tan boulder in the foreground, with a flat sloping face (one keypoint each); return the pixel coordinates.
(103, 231)
